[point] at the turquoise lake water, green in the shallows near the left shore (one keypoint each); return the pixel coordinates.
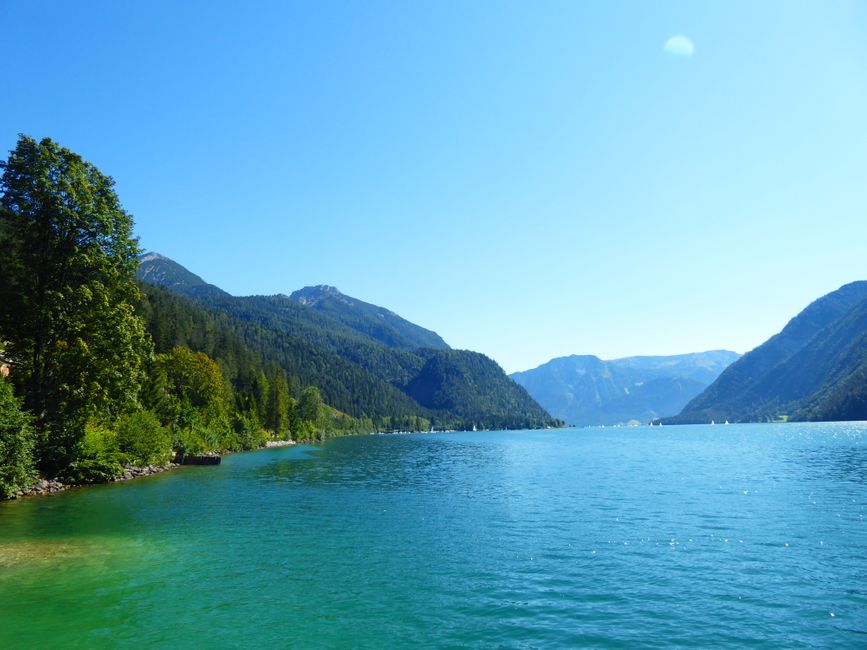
(742, 535)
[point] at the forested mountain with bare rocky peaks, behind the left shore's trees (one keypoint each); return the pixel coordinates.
(366, 360)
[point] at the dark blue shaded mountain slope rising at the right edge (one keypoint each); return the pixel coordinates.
(815, 368)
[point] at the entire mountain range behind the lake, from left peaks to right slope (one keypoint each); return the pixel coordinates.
(369, 362)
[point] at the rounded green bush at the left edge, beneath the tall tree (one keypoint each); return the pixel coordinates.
(16, 443)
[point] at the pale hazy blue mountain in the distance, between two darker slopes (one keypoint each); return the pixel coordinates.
(585, 390)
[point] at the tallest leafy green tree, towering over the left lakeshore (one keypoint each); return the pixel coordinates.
(67, 290)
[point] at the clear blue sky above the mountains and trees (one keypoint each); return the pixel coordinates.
(528, 179)
